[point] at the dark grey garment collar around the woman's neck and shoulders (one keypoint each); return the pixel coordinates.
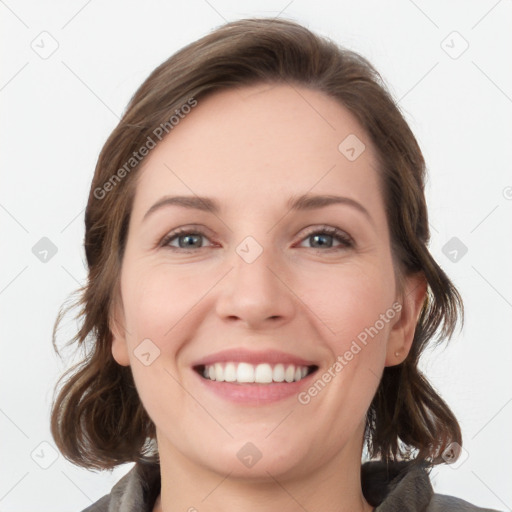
(395, 487)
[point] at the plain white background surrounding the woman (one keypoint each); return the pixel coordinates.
(57, 112)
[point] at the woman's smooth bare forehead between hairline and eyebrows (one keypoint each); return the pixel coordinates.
(259, 145)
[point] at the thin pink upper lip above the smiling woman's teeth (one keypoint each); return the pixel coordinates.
(242, 355)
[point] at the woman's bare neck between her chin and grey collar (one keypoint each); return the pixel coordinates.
(333, 486)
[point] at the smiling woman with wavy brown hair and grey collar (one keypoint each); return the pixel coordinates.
(238, 365)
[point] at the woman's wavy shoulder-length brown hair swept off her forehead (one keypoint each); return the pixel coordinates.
(97, 419)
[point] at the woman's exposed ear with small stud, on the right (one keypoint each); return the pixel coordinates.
(402, 333)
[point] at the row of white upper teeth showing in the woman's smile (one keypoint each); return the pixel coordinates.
(262, 373)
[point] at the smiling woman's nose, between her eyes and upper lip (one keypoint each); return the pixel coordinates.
(257, 293)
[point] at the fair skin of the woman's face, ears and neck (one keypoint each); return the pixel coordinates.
(251, 149)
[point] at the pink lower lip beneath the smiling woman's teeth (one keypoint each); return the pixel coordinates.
(253, 393)
